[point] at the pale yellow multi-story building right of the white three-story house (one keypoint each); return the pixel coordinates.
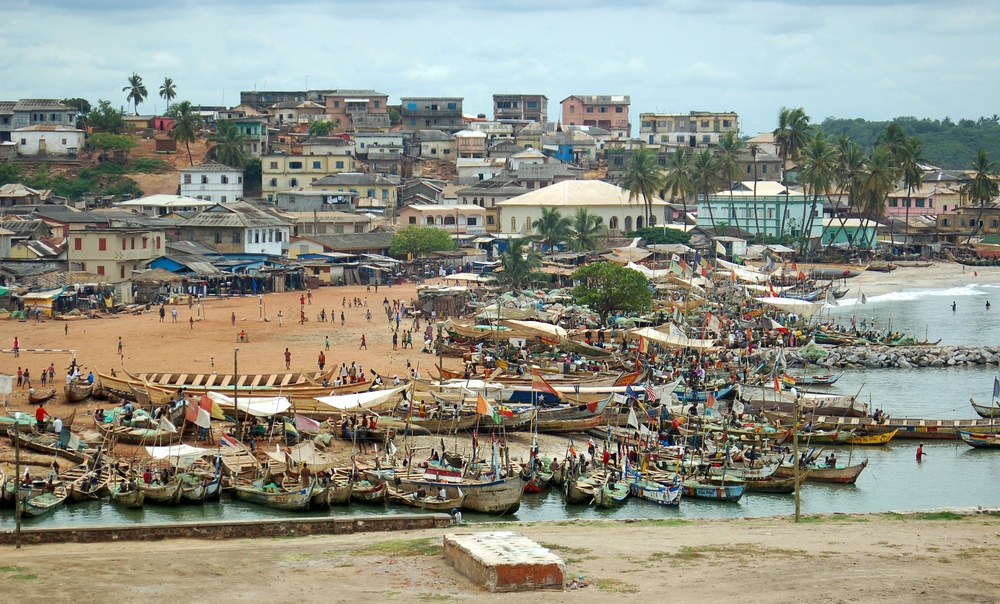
(284, 172)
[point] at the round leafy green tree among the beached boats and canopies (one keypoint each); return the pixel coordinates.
(607, 287)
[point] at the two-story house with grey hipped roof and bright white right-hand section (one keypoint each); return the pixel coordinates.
(237, 228)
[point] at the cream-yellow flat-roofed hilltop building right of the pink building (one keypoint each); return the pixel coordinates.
(697, 129)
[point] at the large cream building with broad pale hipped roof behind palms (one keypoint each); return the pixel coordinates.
(606, 201)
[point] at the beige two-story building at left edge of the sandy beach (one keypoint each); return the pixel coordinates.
(114, 252)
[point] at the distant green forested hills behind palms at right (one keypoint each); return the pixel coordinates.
(947, 144)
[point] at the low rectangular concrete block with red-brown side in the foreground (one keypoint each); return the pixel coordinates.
(502, 561)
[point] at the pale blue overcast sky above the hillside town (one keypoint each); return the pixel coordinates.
(874, 59)
